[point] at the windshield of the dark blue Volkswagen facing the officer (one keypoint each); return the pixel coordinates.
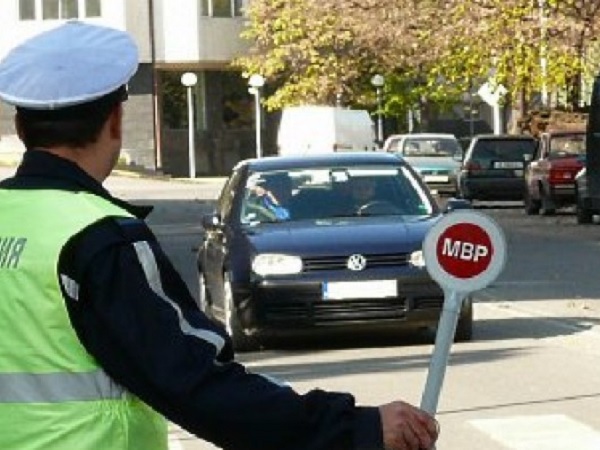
(326, 193)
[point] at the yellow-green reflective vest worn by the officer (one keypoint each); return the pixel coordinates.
(53, 394)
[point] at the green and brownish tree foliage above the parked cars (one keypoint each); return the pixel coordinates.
(321, 51)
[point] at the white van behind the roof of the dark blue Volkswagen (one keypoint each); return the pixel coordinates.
(322, 129)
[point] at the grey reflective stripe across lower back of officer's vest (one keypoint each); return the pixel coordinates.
(57, 387)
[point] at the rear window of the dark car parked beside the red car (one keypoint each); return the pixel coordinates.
(488, 153)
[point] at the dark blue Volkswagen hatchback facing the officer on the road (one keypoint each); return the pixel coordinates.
(327, 266)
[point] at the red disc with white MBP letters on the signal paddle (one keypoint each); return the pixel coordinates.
(464, 250)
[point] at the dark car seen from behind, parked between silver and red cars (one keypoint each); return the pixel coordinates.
(493, 167)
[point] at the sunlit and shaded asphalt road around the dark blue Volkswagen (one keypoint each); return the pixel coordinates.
(529, 380)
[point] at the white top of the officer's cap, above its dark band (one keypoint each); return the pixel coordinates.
(72, 64)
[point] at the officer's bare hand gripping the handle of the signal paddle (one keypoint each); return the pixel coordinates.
(406, 427)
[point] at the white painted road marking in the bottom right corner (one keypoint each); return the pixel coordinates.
(548, 432)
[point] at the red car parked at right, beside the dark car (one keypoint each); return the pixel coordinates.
(550, 176)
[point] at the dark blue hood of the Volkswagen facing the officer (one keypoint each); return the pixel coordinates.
(370, 235)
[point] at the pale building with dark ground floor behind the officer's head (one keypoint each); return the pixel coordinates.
(198, 36)
